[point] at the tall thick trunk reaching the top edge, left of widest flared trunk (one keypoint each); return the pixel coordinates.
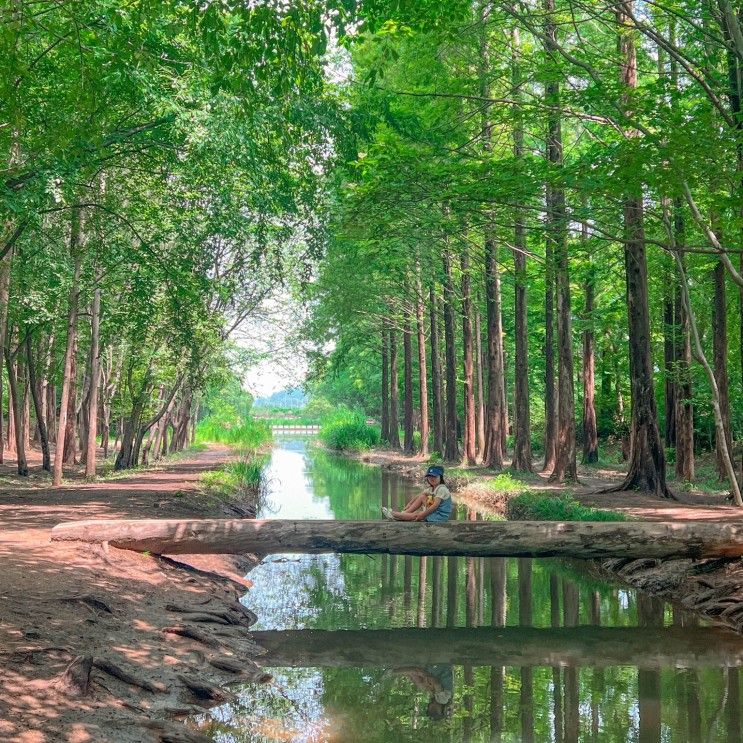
(565, 468)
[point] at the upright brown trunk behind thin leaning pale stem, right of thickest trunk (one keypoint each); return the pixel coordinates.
(684, 406)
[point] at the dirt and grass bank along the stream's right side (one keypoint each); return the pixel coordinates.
(713, 589)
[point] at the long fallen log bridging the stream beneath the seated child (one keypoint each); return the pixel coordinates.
(586, 539)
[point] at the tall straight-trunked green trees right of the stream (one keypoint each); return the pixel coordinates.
(536, 251)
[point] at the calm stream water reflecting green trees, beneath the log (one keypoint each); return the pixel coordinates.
(387, 649)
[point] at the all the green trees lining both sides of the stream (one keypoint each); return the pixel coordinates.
(514, 226)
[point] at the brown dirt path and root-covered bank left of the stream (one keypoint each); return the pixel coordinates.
(59, 602)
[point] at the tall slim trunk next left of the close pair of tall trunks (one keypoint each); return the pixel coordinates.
(522, 453)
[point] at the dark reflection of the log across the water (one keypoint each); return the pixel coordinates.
(647, 648)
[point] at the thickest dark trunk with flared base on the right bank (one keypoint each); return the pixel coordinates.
(647, 467)
